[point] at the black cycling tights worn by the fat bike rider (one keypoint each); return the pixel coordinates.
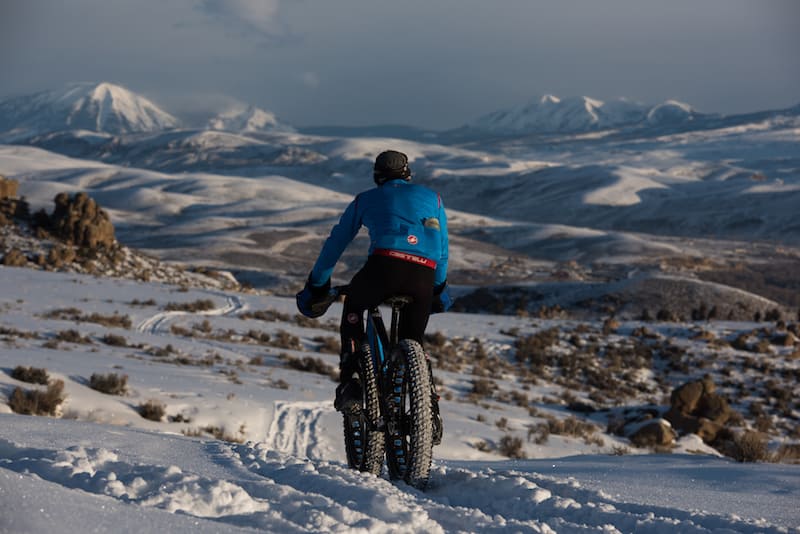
(380, 278)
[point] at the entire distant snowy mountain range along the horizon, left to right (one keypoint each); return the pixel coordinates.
(106, 108)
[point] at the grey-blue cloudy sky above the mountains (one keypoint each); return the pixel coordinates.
(427, 63)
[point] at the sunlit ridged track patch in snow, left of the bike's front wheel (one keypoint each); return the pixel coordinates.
(295, 428)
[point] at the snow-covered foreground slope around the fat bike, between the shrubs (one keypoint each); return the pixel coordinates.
(102, 467)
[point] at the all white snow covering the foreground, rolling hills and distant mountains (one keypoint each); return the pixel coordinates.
(250, 444)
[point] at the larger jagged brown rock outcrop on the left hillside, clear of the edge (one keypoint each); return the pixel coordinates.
(78, 220)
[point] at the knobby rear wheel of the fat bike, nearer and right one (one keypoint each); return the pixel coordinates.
(409, 436)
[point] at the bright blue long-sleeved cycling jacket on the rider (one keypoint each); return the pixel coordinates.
(400, 216)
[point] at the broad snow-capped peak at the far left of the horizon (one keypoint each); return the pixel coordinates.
(98, 107)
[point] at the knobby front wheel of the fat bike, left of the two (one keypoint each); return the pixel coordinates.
(364, 445)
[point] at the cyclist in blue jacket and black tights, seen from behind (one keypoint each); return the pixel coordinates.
(407, 255)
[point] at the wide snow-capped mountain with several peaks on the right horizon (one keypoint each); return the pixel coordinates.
(550, 114)
